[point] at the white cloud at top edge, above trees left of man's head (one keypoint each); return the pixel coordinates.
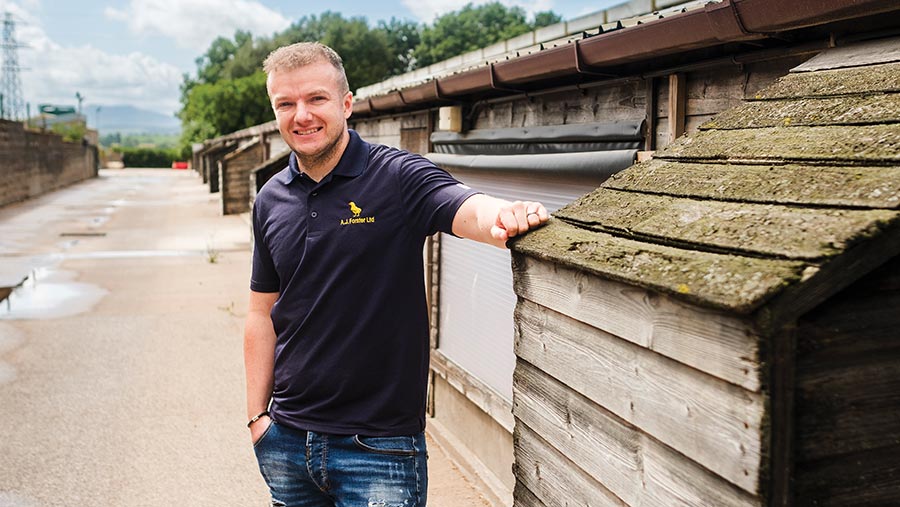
(194, 24)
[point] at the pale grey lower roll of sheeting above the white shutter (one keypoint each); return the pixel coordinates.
(588, 164)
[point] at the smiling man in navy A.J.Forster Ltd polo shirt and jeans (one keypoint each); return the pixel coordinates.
(336, 340)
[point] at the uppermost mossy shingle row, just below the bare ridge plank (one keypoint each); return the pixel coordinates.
(852, 81)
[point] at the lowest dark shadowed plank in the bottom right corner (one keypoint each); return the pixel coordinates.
(867, 478)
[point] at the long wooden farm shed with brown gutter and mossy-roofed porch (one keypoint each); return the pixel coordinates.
(550, 116)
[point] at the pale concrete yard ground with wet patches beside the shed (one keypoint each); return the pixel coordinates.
(121, 376)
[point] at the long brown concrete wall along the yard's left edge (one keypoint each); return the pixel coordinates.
(34, 163)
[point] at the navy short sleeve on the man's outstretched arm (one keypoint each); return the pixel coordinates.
(430, 195)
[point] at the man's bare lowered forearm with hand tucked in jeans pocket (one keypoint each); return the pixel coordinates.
(259, 358)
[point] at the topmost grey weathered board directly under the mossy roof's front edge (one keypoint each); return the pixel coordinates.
(718, 344)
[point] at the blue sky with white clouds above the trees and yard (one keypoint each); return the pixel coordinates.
(136, 52)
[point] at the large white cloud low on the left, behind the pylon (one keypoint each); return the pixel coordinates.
(52, 73)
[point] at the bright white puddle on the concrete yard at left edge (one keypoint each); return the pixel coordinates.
(49, 293)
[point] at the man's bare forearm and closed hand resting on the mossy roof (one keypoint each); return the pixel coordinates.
(493, 221)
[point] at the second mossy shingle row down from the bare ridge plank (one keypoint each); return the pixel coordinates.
(855, 110)
